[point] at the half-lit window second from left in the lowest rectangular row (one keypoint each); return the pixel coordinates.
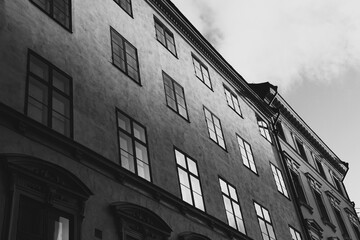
(133, 147)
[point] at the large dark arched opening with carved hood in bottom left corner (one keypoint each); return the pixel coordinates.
(47, 201)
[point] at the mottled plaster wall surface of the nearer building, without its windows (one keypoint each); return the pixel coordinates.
(99, 87)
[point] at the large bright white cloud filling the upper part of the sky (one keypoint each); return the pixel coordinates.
(284, 42)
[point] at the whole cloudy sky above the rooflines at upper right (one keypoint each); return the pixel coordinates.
(309, 49)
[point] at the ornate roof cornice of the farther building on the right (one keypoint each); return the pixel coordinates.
(287, 112)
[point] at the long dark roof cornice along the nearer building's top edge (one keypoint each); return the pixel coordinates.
(172, 13)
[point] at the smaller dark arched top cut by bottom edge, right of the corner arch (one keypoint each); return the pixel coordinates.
(138, 223)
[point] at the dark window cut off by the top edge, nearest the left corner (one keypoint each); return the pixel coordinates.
(59, 10)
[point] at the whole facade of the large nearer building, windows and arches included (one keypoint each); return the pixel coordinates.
(120, 121)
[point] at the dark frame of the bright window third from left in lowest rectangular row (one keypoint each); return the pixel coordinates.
(189, 173)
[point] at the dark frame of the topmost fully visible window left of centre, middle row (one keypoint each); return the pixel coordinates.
(124, 42)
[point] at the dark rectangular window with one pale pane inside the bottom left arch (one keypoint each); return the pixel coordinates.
(38, 221)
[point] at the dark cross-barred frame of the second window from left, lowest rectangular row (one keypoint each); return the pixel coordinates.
(133, 141)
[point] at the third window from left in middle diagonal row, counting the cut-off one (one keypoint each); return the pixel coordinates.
(175, 97)
